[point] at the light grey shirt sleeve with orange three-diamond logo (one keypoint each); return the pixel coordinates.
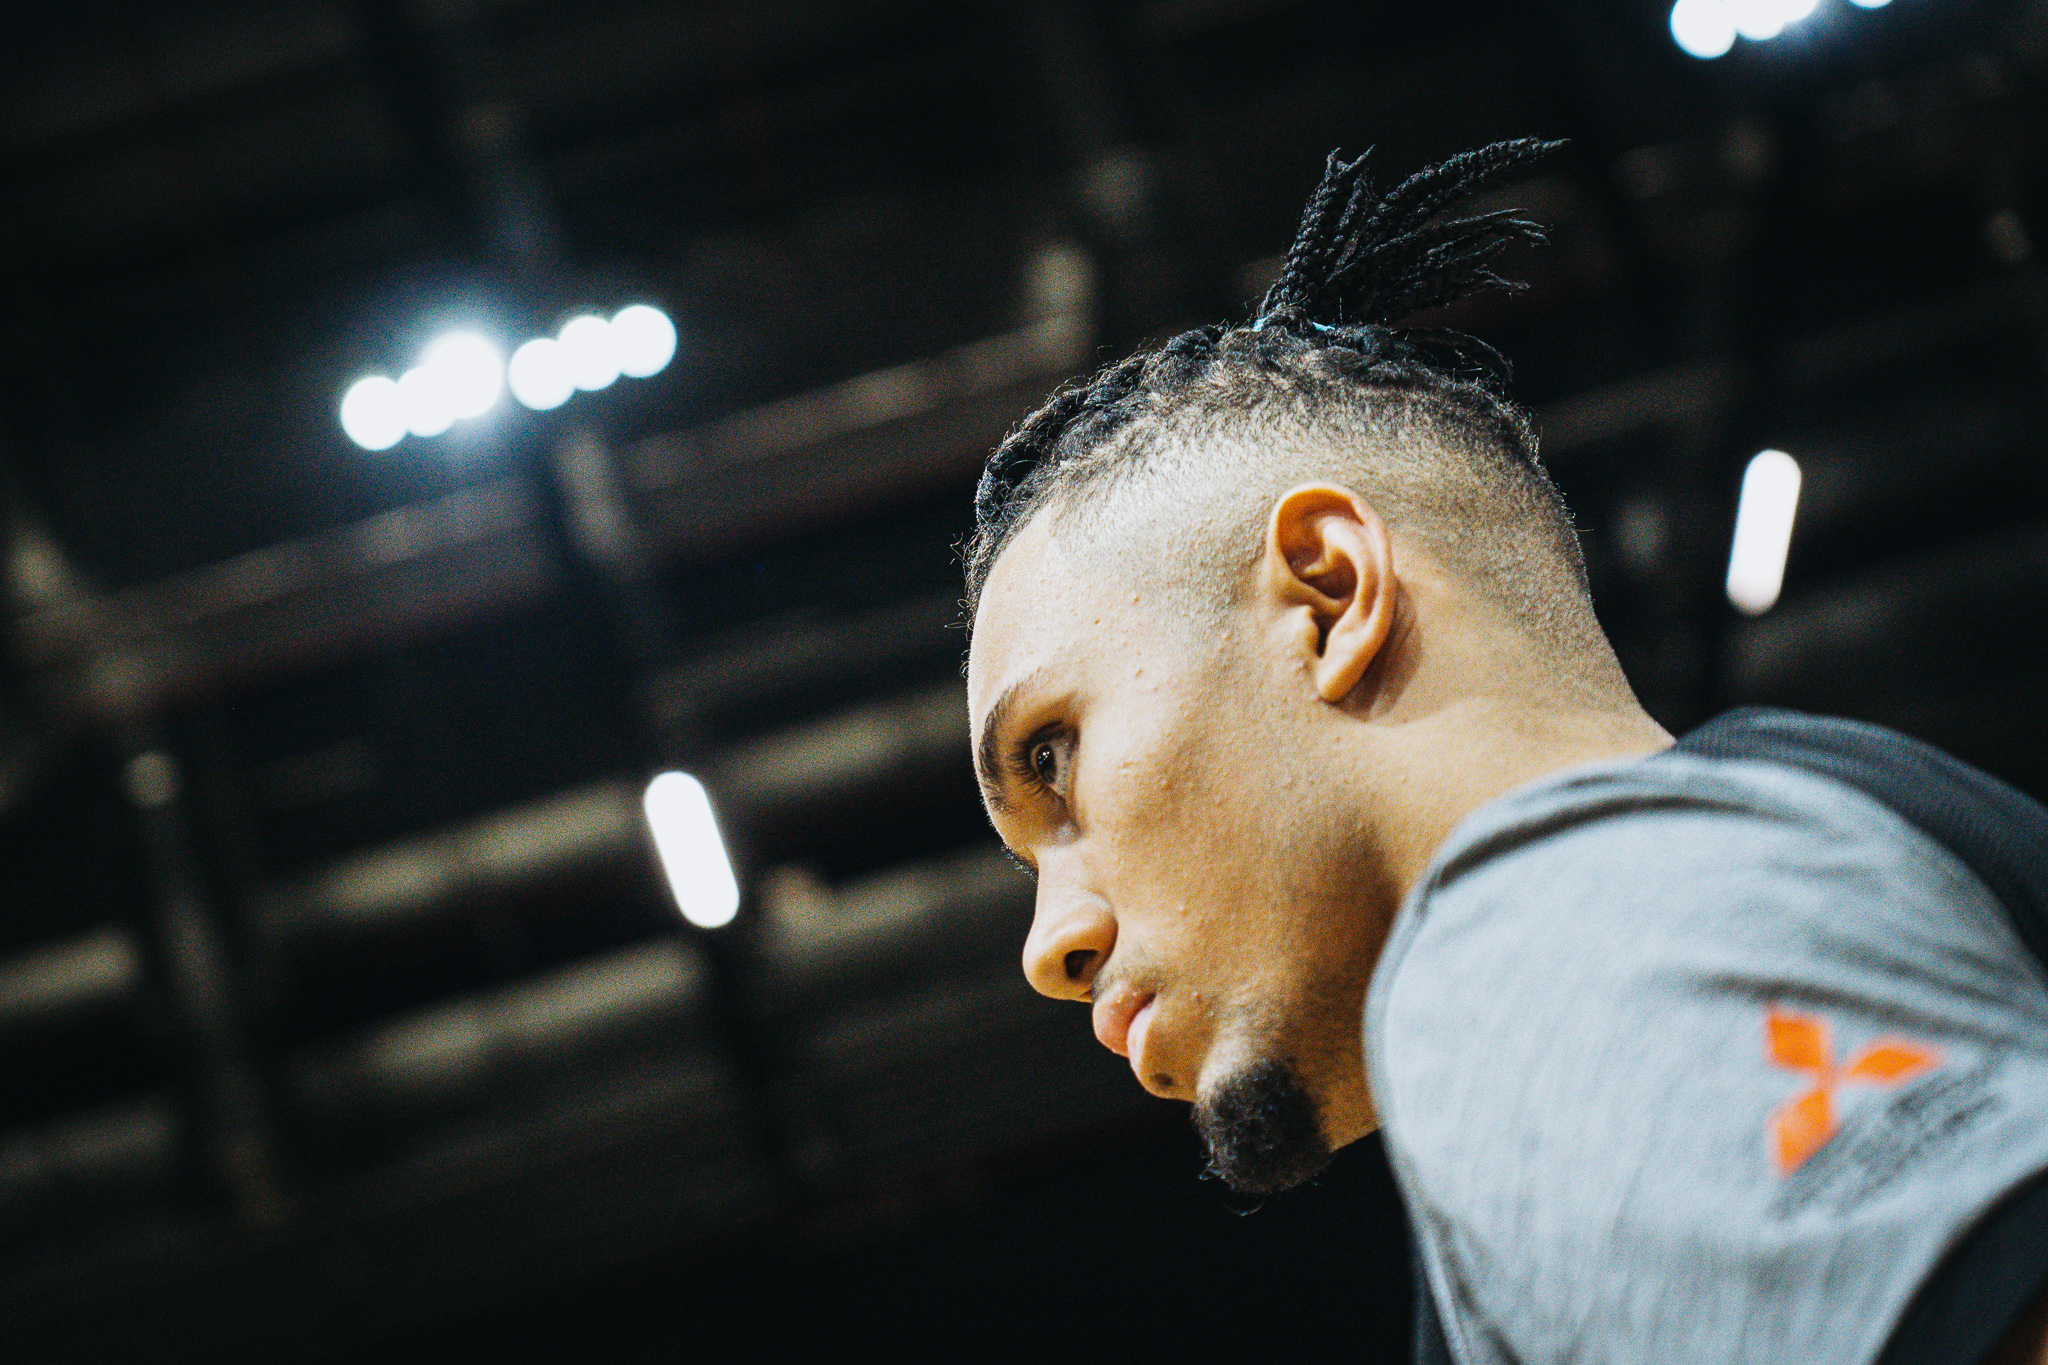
(1699, 1061)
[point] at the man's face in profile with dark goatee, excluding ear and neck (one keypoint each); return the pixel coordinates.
(1201, 873)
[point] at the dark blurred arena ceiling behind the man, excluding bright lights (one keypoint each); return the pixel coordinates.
(343, 1008)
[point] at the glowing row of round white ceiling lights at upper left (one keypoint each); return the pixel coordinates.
(462, 376)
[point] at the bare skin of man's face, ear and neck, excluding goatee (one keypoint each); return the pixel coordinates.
(1228, 805)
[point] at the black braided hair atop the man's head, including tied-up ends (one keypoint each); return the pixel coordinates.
(1332, 324)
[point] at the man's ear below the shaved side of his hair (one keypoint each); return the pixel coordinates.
(1328, 568)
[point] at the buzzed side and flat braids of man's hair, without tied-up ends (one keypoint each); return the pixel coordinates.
(1181, 496)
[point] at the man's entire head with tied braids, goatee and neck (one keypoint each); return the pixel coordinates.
(1254, 619)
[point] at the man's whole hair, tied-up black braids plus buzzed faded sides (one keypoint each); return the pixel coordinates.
(1324, 386)
